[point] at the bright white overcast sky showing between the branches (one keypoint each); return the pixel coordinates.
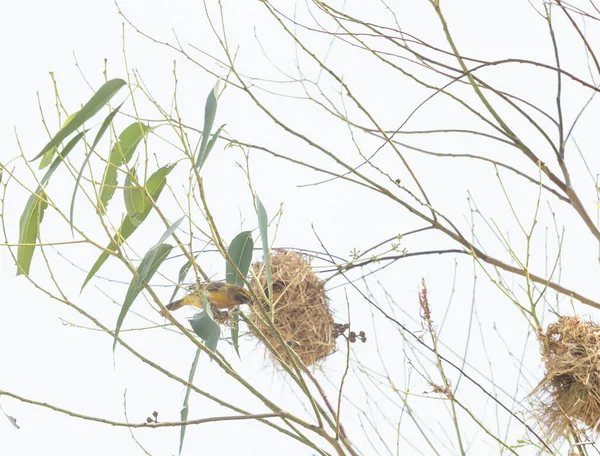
(43, 359)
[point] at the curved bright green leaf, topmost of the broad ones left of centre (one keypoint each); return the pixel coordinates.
(121, 153)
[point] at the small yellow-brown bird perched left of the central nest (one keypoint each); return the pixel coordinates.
(222, 295)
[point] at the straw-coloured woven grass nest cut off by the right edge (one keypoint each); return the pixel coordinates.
(570, 391)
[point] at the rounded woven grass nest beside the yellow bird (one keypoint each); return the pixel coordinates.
(301, 313)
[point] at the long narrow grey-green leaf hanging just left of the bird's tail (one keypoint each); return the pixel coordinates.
(148, 266)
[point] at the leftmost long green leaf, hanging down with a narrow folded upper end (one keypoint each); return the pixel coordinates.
(33, 213)
